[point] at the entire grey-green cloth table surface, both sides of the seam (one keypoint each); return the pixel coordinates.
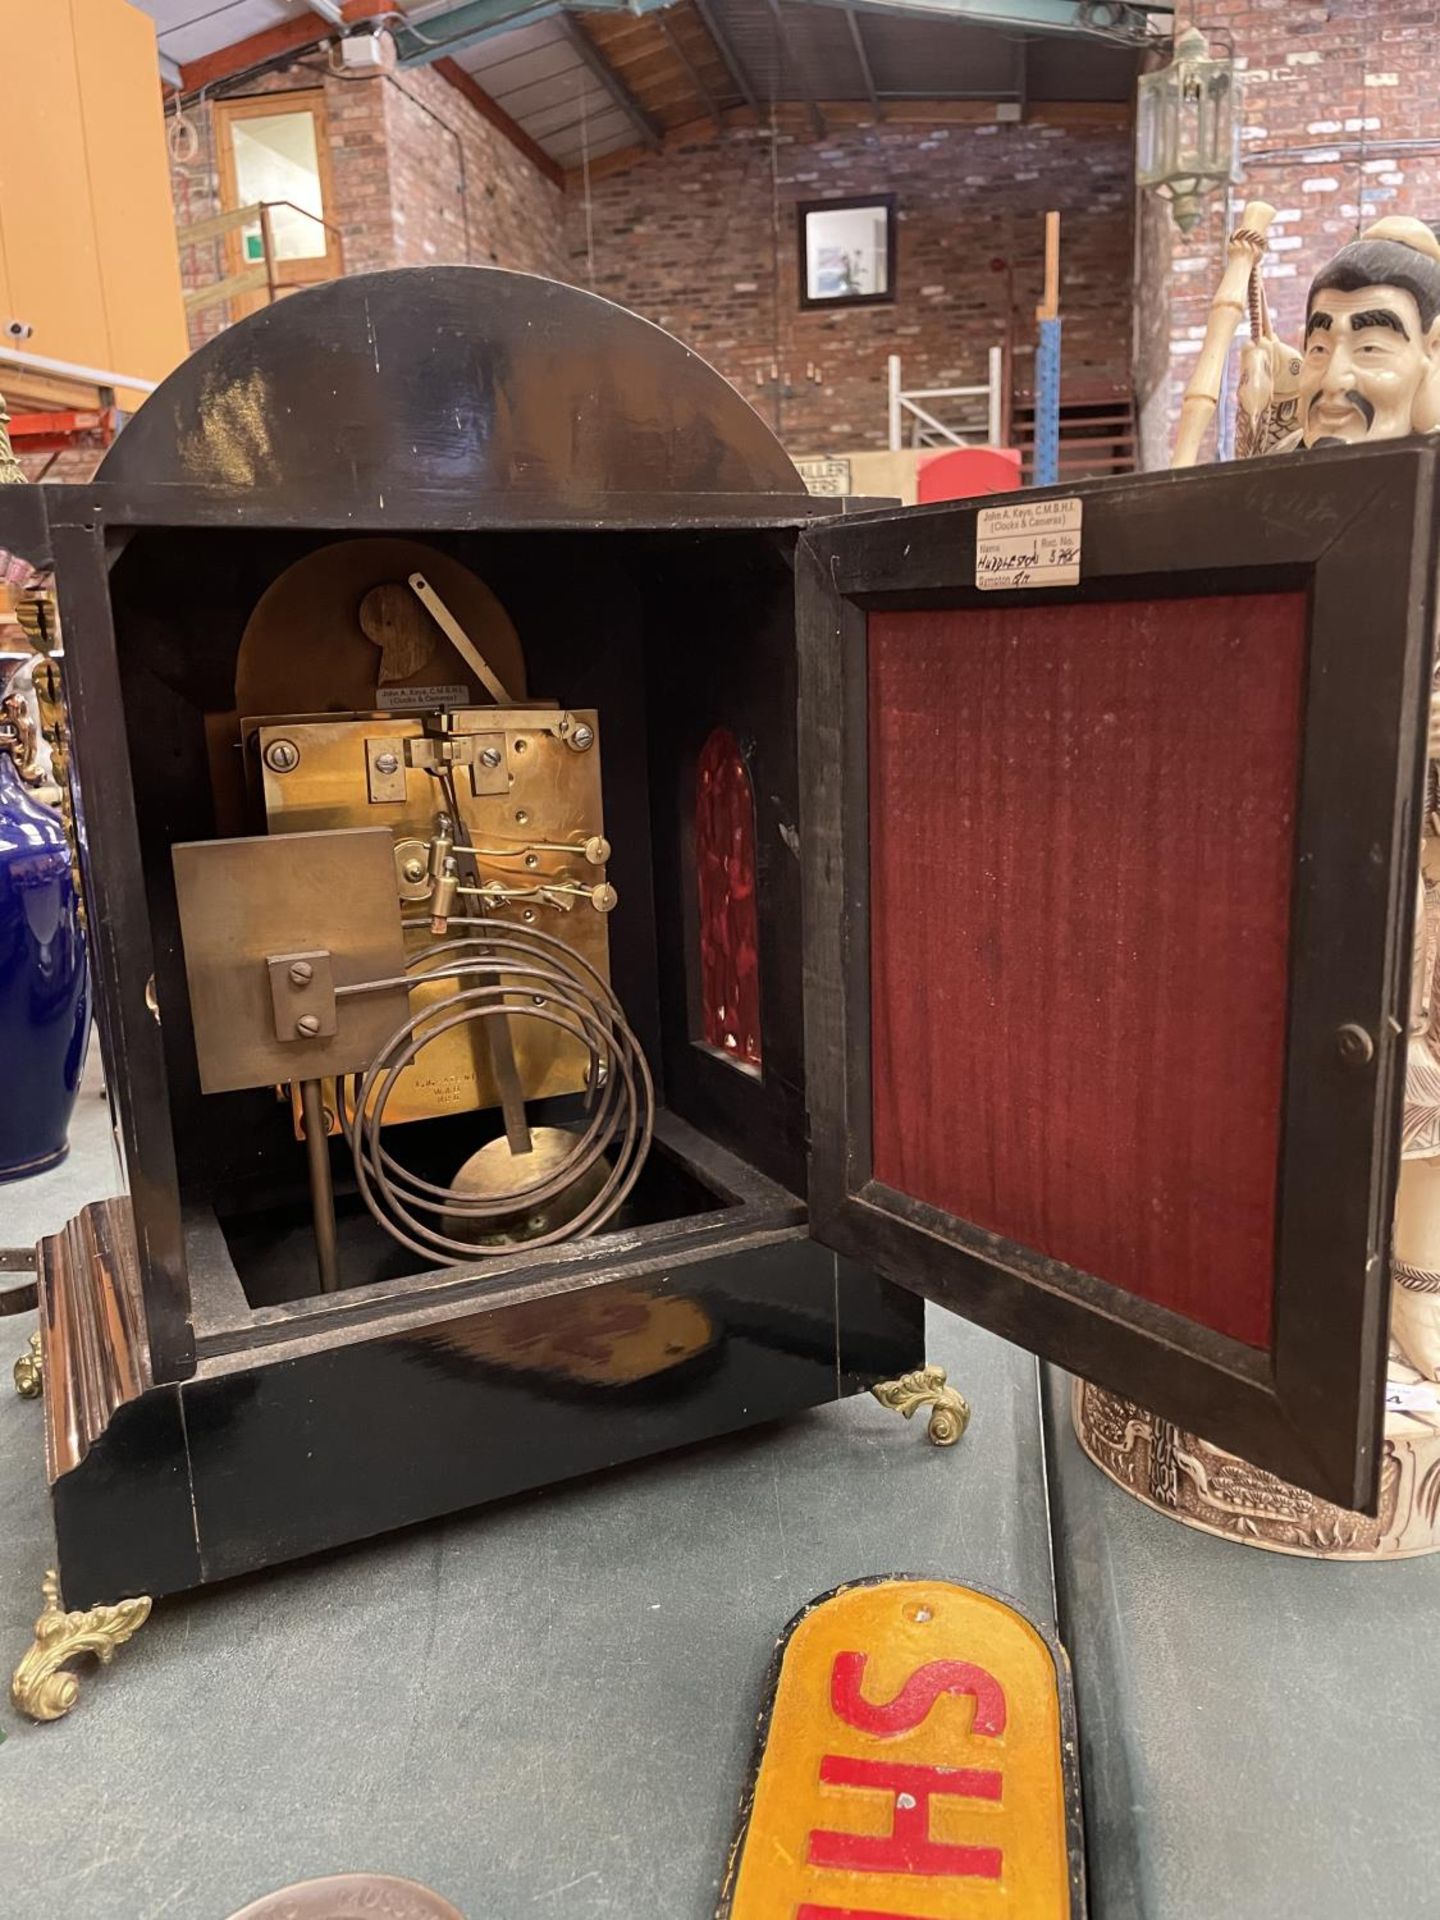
(546, 1708)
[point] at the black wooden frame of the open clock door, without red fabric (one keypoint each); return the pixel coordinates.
(1356, 529)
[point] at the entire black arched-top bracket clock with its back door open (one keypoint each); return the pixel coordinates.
(587, 944)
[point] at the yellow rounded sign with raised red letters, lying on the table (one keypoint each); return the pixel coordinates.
(919, 1764)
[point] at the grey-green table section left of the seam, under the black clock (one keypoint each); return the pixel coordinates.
(542, 1708)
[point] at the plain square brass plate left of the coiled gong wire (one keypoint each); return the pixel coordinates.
(247, 901)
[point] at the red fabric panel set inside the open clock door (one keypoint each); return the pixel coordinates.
(1082, 830)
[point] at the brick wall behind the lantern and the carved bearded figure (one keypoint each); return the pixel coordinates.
(1330, 87)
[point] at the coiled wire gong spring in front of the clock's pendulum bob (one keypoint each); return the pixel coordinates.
(506, 972)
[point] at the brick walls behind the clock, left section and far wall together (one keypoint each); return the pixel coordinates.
(704, 237)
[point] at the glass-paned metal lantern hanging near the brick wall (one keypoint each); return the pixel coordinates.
(1186, 128)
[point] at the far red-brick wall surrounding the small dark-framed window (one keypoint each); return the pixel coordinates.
(704, 241)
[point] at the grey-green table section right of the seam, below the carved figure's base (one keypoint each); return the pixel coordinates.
(1260, 1735)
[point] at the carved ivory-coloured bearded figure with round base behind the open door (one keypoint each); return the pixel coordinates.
(1370, 370)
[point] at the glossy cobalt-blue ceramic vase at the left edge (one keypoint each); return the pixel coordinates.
(45, 1003)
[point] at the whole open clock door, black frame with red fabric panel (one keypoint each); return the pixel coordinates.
(1109, 915)
